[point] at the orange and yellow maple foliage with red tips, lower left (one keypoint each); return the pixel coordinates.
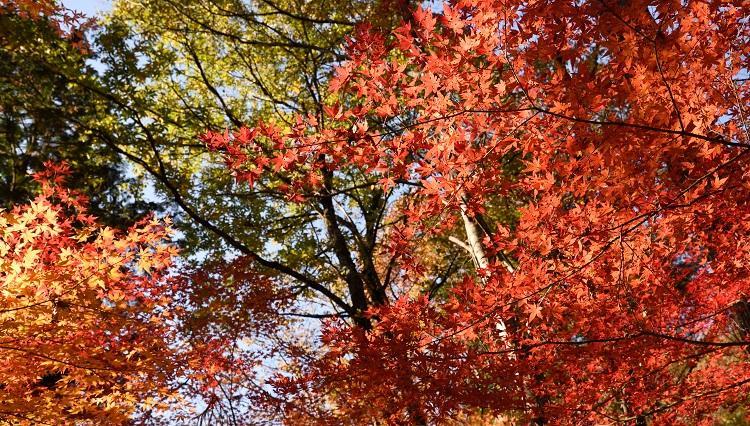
(87, 313)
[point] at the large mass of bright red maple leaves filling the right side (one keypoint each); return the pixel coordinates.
(619, 292)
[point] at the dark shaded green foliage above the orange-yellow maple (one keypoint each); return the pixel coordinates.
(41, 112)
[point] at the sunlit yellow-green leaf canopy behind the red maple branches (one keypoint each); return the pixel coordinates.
(173, 70)
